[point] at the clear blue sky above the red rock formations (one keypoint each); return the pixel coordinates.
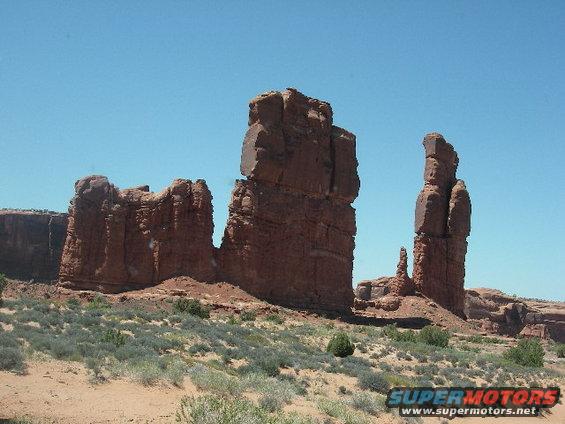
(145, 92)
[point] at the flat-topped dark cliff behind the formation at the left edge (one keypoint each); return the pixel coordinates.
(31, 243)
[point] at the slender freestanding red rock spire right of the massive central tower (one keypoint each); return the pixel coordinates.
(442, 224)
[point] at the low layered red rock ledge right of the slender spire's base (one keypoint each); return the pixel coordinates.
(500, 313)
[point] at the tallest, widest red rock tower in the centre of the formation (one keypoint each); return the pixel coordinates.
(290, 232)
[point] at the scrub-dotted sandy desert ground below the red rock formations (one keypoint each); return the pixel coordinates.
(156, 356)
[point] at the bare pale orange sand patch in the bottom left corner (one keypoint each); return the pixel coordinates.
(59, 392)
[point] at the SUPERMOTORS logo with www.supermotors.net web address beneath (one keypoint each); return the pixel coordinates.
(471, 401)
